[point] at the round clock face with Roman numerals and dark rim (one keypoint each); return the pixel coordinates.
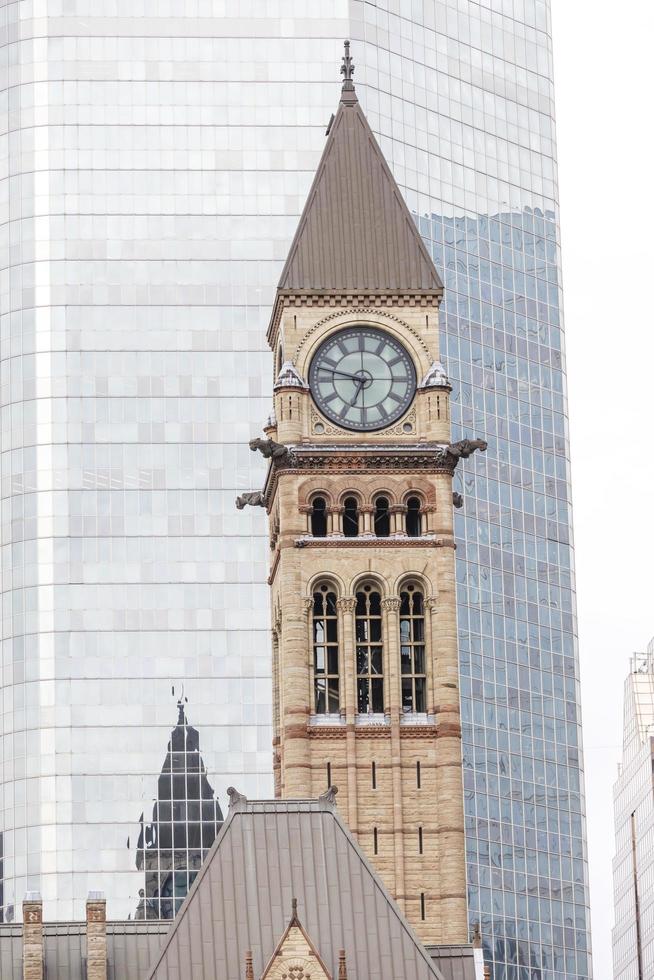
(362, 378)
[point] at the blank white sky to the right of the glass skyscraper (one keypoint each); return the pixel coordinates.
(604, 76)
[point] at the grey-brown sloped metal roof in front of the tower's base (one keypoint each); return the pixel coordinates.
(268, 853)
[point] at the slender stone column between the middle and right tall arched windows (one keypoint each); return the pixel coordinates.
(391, 608)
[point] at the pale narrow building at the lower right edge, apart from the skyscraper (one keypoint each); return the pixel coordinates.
(633, 796)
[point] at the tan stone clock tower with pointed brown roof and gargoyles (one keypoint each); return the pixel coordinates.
(359, 497)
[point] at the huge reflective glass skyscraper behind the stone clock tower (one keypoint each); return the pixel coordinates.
(154, 159)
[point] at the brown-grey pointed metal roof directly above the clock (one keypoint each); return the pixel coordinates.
(356, 233)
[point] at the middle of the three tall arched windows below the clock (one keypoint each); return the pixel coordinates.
(368, 626)
